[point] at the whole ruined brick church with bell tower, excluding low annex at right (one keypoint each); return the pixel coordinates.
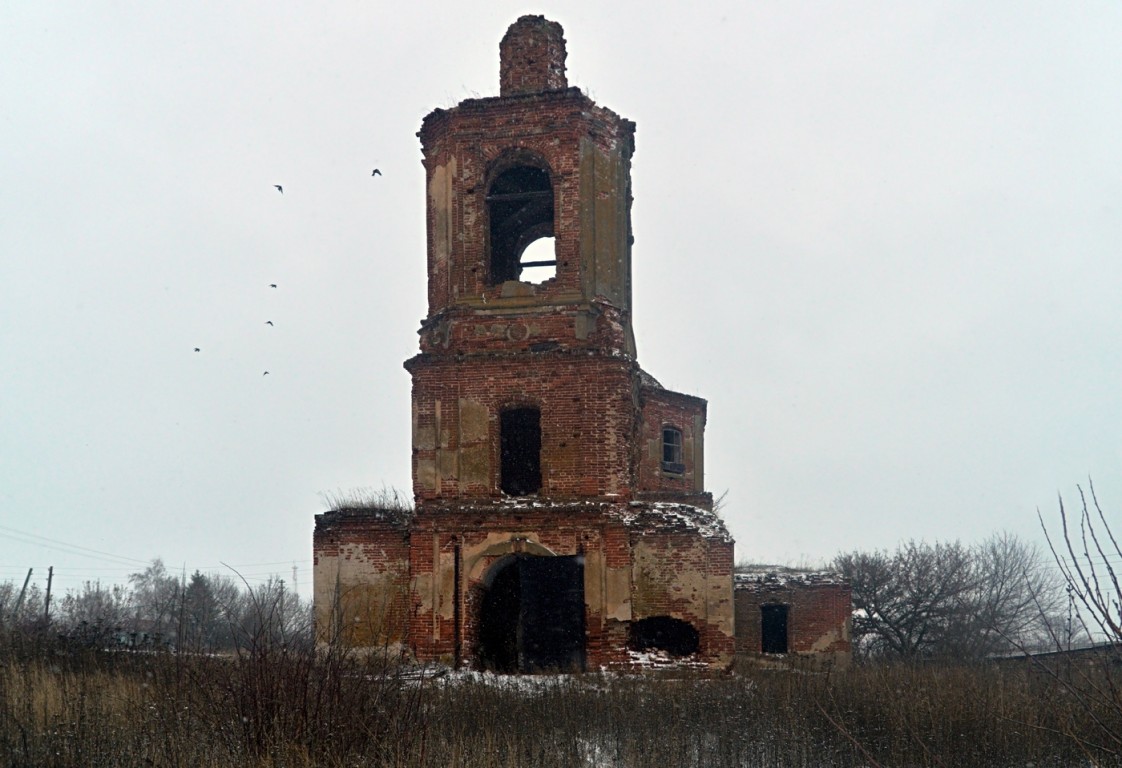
(560, 517)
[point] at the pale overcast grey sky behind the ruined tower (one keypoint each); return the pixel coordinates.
(880, 239)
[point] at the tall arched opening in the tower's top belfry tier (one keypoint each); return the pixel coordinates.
(520, 206)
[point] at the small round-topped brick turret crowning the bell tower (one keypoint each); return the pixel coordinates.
(532, 58)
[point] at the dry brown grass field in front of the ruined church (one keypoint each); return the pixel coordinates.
(273, 708)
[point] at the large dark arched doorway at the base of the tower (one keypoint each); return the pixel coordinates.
(534, 616)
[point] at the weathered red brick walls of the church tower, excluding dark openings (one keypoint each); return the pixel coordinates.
(564, 346)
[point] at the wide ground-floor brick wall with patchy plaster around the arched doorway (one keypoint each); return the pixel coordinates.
(411, 577)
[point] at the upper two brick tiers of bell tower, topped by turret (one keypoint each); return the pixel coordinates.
(525, 383)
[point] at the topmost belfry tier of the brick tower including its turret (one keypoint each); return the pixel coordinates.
(541, 162)
